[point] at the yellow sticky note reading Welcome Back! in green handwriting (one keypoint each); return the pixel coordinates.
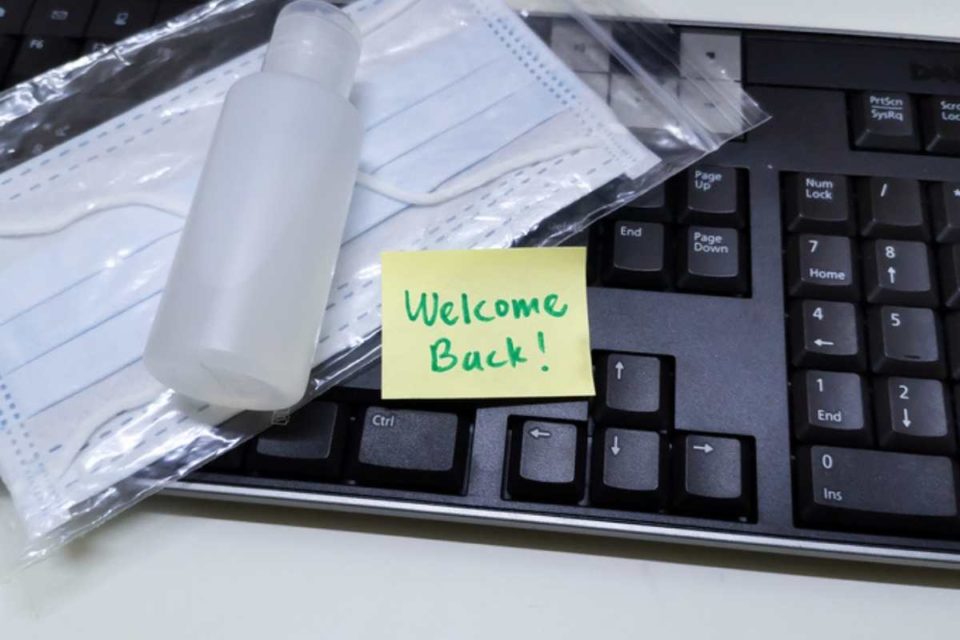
(492, 323)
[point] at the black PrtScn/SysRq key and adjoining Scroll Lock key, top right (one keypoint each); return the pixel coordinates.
(901, 122)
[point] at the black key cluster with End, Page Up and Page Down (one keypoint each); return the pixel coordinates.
(683, 236)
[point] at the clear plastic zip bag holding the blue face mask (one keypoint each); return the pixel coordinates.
(501, 141)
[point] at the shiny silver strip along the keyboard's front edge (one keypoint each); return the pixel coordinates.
(612, 528)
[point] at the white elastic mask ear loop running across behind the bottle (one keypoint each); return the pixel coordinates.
(36, 221)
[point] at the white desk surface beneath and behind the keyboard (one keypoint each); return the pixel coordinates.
(176, 569)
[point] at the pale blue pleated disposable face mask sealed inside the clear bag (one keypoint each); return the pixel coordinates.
(475, 134)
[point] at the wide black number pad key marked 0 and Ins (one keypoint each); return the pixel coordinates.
(876, 490)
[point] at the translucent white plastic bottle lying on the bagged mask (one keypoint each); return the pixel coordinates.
(240, 317)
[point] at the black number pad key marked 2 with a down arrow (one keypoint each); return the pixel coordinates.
(914, 415)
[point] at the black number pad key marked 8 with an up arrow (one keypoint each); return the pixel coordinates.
(899, 272)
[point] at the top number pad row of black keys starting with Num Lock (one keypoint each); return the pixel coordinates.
(888, 207)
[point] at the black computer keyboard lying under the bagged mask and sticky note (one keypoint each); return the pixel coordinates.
(776, 332)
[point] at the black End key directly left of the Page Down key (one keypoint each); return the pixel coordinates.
(638, 255)
